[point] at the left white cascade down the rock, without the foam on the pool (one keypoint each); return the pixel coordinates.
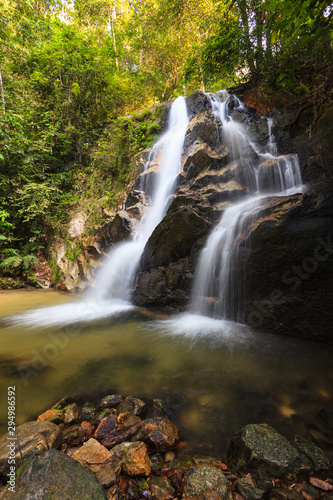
(114, 280)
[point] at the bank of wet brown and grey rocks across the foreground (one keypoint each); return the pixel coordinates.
(130, 449)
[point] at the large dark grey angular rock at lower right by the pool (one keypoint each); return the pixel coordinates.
(260, 449)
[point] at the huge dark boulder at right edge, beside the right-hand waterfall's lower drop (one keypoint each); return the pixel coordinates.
(289, 269)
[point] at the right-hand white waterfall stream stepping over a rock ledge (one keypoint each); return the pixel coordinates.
(219, 284)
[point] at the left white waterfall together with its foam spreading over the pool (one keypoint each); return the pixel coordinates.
(111, 293)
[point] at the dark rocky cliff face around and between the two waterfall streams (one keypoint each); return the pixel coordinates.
(288, 262)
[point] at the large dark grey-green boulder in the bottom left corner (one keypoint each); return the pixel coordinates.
(54, 476)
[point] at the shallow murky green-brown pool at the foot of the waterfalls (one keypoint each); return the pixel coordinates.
(215, 376)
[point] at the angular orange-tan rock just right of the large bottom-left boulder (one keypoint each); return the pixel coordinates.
(100, 462)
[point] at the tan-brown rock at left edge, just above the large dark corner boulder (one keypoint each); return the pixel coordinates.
(30, 437)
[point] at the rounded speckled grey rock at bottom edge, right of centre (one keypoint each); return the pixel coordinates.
(207, 478)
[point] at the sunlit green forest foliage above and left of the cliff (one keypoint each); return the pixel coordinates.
(75, 74)
